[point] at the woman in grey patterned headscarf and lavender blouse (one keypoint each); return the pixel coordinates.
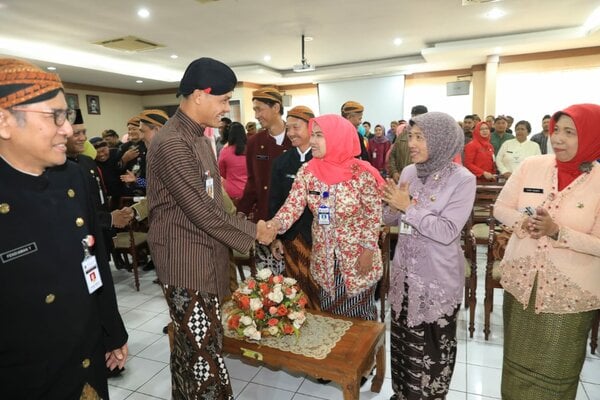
(431, 204)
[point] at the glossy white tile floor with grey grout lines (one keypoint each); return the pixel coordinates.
(476, 375)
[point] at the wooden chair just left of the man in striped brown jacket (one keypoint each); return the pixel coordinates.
(131, 243)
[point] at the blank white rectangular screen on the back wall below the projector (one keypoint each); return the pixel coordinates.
(382, 97)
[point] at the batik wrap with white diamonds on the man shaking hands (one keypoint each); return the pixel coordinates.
(197, 366)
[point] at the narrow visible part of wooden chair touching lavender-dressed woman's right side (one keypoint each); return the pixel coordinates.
(470, 253)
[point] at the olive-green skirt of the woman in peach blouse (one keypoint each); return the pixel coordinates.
(543, 353)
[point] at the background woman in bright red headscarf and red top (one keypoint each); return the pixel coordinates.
(479, 153)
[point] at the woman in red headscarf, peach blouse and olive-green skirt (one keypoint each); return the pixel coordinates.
(551, 267)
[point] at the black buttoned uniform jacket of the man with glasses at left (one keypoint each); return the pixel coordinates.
(54, 332)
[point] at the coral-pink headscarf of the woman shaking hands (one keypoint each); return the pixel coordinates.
(342, 145)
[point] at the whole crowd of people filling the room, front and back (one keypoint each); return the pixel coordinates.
(311, 194)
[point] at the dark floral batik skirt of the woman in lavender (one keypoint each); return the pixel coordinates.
(423, 356)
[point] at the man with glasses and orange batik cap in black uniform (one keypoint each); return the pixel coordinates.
(62, 327)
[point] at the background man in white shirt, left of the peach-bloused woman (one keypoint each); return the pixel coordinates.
(514, 151)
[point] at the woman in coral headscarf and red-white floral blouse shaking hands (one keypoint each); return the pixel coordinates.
(342, 193)
